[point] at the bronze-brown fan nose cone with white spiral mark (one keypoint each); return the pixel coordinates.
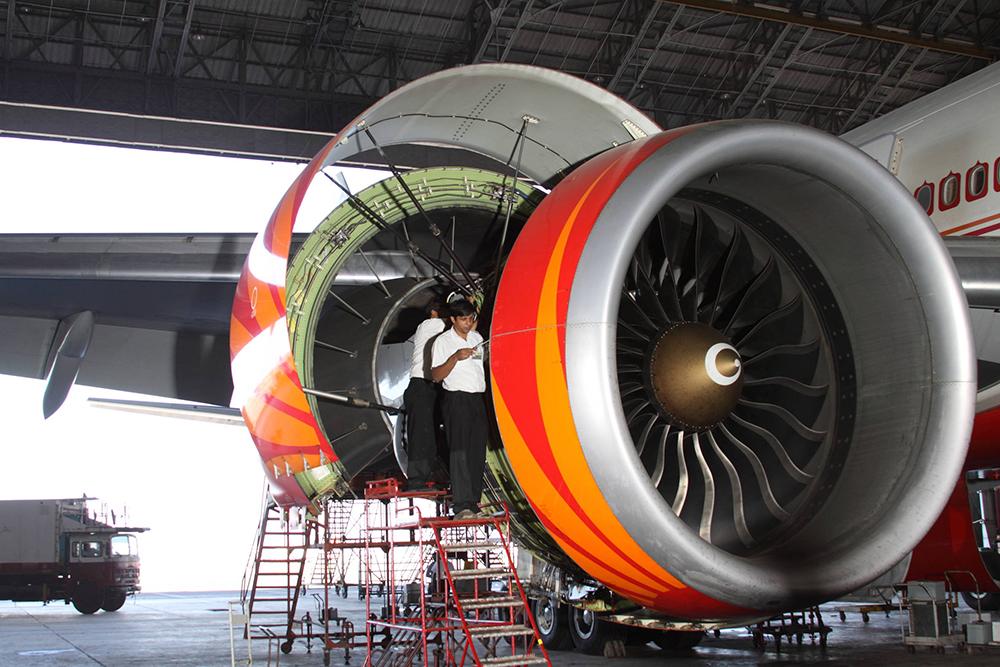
(695, 374)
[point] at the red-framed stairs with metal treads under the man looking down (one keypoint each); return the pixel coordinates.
(484, 594)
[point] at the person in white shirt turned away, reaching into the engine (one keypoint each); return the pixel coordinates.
(420, 399)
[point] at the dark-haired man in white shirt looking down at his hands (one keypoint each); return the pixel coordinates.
(457, 362)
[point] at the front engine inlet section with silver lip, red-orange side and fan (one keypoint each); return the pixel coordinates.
(731, 368)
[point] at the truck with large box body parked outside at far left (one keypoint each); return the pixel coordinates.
(54, 550)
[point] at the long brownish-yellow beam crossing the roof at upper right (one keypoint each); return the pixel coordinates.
(842, 26)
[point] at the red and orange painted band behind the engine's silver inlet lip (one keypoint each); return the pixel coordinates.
(531, 398)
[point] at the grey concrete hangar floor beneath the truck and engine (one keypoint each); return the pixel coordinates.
(191, 629)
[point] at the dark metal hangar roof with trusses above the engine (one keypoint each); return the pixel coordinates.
(314, 64)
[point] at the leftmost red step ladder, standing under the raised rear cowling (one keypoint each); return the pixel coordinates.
(275, 583)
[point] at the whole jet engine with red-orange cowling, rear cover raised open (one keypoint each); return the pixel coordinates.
(731, 367)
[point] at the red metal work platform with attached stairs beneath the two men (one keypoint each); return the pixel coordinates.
(451, 591)
